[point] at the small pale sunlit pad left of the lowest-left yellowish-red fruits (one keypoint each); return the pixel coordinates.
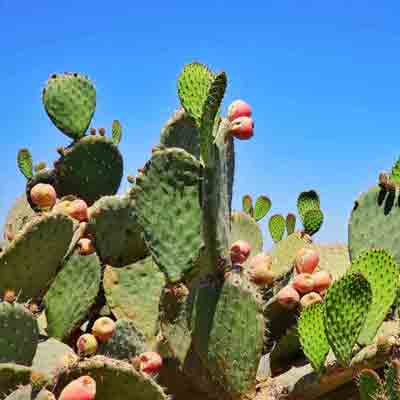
(51, 355)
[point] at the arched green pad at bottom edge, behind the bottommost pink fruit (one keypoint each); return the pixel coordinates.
(116, 380)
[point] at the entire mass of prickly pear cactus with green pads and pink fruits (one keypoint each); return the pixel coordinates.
(166, 292)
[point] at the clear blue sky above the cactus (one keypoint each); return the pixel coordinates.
(323, 79)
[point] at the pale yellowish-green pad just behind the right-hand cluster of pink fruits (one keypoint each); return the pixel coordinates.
(284, 253)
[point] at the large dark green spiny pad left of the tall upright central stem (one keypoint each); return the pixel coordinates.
(168, 208)
